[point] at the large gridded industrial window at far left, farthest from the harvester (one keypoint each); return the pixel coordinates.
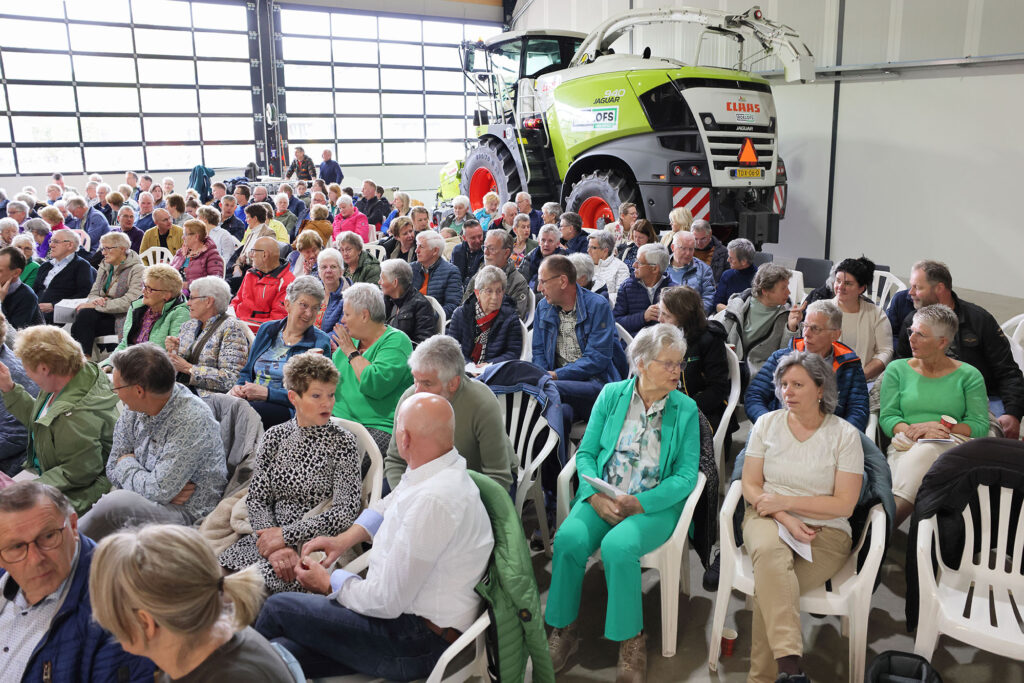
(109, 86)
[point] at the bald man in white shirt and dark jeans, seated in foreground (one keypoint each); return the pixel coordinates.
(432, 541)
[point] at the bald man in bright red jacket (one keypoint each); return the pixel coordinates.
(262, 296)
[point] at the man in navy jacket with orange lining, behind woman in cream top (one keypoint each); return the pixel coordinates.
(823, 328)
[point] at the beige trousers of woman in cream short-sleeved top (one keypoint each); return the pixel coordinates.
(780, 578)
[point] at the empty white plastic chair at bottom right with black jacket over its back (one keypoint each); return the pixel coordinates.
(988, 585)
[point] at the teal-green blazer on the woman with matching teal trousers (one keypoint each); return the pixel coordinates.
(680, 445)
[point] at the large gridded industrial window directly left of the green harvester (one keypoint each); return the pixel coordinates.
(377, 90)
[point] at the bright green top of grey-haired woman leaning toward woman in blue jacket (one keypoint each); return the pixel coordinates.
(371, 401)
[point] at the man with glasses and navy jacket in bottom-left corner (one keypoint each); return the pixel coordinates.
(47, 626)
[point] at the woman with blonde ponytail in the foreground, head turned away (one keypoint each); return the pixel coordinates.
(160, 591)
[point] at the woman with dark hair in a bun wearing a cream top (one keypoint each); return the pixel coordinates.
(866, 327)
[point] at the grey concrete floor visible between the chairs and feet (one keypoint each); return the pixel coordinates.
(826, 650)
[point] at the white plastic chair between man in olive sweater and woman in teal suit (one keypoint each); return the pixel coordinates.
(529, 430)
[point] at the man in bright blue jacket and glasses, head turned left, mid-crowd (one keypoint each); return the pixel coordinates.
(575, 338)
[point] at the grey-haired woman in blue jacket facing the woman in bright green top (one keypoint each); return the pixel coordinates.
(262, 380)
